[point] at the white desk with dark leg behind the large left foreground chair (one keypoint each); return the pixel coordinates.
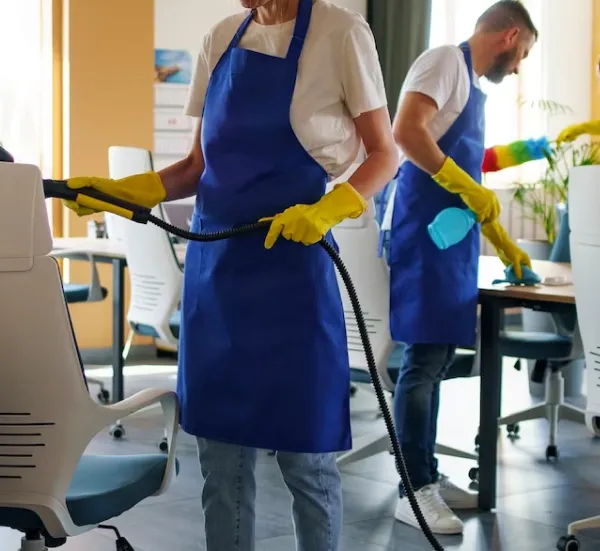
(108, 251)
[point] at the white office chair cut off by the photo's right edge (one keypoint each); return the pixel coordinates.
(584, 205)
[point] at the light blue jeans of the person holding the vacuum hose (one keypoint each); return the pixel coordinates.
(229, 494)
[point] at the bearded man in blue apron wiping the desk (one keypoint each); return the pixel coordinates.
(433, 309)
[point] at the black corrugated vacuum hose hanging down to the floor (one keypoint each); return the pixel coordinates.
(362, 327)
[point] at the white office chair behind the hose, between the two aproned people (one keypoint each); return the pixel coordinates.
(358, 241)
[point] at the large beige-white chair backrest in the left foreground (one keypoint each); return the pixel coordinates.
(47, 417)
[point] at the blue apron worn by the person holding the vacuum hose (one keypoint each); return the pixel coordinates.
(263, 358)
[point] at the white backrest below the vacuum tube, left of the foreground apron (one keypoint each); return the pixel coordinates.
(155, 275)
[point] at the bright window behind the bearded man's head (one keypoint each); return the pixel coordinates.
(511, 107)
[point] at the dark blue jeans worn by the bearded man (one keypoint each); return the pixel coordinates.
(416, 406)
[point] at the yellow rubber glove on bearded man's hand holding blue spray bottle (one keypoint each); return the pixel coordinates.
(482, 201)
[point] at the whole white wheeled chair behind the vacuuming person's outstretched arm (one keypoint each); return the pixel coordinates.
(154, 271)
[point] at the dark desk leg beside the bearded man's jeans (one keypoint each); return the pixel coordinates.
(489, 402)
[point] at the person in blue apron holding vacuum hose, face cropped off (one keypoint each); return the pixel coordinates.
(263, 360)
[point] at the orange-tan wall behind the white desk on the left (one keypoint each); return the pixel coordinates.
(108, 71)
